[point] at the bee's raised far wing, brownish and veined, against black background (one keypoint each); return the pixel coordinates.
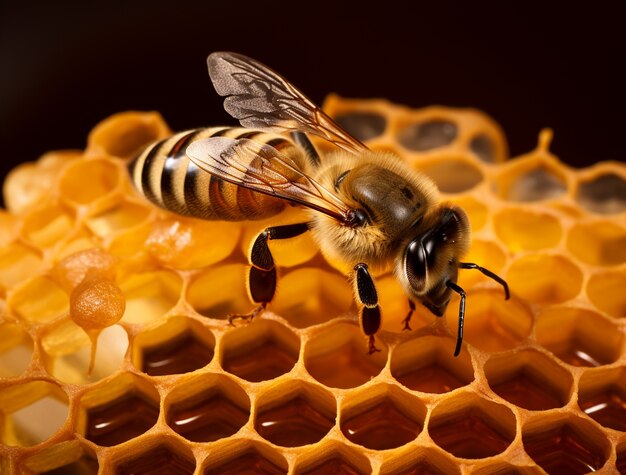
(260, 98)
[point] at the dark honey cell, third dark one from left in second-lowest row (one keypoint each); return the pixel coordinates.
(295, 413)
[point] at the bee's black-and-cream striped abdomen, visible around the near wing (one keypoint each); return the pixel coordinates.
(164, 175)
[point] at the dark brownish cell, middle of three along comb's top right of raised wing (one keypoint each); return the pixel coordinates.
(423, 136)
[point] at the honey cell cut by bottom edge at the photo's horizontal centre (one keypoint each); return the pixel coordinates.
(333, 458)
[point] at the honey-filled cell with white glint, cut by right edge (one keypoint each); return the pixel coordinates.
(602, 396)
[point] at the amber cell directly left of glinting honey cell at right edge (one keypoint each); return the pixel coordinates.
(529, 379)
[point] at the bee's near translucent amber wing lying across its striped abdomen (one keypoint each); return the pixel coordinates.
(262, 168)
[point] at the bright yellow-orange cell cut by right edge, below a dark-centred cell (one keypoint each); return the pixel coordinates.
(600, 243)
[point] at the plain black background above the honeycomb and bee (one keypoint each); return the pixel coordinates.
(66, 66)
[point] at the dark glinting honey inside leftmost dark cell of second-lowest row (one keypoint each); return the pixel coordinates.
(121, 419)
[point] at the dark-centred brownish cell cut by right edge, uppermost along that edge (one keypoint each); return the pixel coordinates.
(604, 194)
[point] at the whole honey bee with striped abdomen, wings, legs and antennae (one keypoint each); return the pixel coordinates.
(366, 209)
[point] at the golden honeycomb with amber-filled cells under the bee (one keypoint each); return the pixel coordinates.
(116, 355)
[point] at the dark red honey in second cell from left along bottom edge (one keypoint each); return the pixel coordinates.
(159, 461)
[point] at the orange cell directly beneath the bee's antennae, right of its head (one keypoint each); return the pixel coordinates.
(492, 323)
